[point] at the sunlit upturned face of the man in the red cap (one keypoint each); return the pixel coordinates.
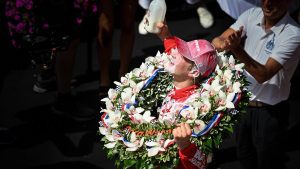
(178, 65)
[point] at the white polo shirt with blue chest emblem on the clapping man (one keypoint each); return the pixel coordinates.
(281, 42)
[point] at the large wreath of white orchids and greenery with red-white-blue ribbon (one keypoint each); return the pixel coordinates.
(130, 126)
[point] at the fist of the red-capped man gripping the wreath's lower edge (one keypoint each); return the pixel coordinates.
(182, 134)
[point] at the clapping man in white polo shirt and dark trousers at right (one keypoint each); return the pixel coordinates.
(271, 52)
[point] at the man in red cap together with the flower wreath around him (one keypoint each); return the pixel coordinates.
(167, 112)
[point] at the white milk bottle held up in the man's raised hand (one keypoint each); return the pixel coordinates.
(156, 13)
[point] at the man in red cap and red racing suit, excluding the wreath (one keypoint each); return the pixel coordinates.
(190, 63)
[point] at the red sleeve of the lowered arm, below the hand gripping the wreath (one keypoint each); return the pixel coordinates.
(192, 158)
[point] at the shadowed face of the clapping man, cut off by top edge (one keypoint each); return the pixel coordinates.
(274, 9)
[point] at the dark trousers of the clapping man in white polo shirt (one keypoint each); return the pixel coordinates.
(261, 136)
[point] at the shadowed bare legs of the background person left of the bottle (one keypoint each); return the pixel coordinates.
(106, 25)
